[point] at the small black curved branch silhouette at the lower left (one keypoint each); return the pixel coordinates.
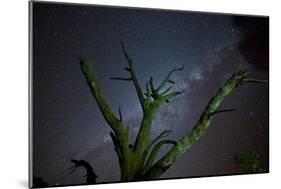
(91, 176)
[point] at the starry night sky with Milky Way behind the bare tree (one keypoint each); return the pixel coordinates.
(68, 124)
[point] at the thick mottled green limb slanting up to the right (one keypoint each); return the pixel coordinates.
(199, 129)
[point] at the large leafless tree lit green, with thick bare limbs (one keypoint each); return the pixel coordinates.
(138, 161)
